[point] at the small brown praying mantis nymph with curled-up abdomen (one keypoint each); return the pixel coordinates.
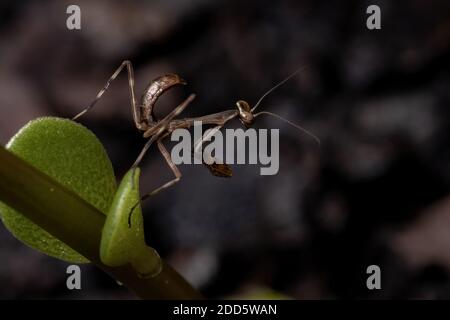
(158, 129)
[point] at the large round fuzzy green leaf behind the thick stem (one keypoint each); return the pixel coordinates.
(72, 155)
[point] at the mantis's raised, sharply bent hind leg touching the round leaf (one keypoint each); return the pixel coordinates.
(134, 107)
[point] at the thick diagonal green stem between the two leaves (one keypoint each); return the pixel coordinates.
(69, 218)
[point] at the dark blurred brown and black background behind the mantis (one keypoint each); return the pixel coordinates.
(375, 192)
